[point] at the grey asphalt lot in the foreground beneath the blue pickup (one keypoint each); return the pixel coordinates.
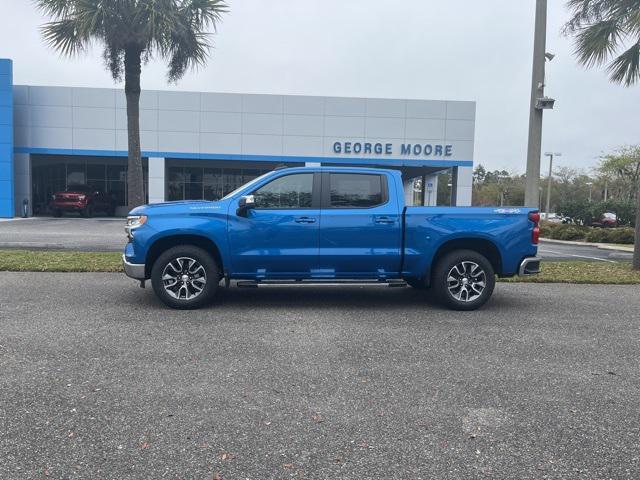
(100, 381)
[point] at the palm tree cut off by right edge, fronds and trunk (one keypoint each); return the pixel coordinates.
(607, 33)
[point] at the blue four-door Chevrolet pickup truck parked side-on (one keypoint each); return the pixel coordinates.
(327, 224)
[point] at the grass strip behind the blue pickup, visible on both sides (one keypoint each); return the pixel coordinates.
(64, 261)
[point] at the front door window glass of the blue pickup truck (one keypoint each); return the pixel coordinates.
(290, 191)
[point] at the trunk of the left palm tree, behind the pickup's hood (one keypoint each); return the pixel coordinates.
(135, 184)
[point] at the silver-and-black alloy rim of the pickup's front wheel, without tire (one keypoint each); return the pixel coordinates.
(184, 278)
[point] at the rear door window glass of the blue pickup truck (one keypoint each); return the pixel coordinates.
(355, 190)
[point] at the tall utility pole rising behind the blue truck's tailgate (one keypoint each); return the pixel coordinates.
(535, 115)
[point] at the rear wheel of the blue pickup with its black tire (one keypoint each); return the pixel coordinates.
(460, 264)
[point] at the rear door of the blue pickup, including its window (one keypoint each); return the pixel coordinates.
(360, 227)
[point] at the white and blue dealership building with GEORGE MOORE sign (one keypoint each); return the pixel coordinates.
(202, 145)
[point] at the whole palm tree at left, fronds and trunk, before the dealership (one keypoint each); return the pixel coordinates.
(131, 33)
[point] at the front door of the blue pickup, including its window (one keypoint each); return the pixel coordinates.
(280, 237)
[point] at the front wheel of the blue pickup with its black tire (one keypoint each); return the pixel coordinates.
(162, 267)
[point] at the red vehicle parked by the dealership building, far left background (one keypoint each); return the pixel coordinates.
(82, 199)
